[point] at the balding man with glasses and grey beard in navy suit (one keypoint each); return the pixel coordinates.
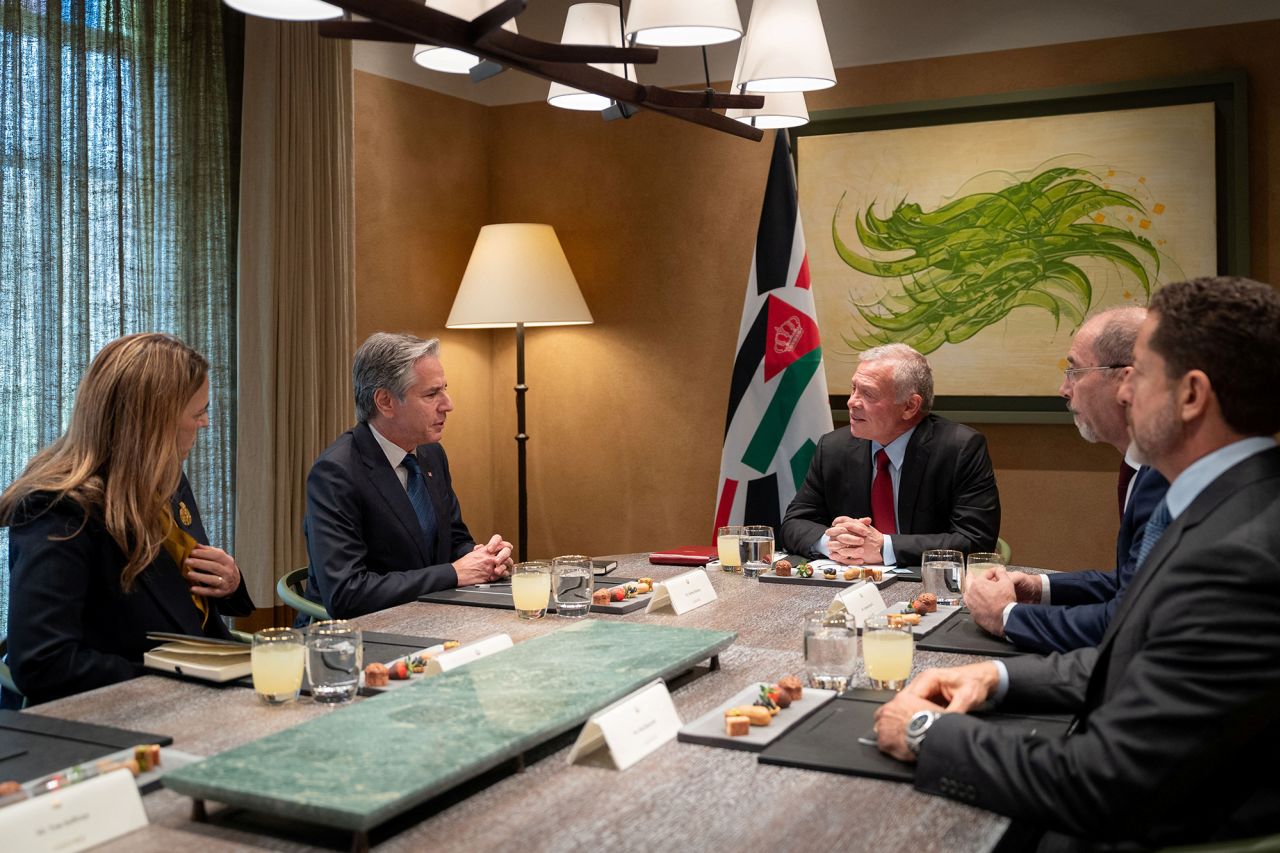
(1072, 610)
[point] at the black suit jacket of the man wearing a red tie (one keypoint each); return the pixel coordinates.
(947, 498)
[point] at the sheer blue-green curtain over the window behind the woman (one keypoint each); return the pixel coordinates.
(117, 215)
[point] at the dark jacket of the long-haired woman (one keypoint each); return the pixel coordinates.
(71, 626)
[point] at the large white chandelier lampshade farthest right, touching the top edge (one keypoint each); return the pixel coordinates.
(785, 48)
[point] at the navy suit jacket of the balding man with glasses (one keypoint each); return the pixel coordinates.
(1084, 603)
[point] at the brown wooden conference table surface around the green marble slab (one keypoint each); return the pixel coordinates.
(680, 797)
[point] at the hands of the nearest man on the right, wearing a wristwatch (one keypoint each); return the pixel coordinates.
(953, 691)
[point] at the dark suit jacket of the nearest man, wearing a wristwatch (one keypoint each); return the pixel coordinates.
(1178, 708)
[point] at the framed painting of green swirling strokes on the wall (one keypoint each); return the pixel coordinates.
(1132, 122)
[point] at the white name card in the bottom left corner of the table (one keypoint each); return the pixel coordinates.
(75, 818)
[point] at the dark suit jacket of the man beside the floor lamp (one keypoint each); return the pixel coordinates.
(367, 549)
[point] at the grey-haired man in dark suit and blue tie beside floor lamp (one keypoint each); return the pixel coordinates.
(383, 524)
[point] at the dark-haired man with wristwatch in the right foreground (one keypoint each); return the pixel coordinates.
(1178, 706)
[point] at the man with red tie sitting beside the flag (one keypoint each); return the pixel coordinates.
(899, 481)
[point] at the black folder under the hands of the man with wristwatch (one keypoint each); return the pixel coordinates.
(830, 738)
